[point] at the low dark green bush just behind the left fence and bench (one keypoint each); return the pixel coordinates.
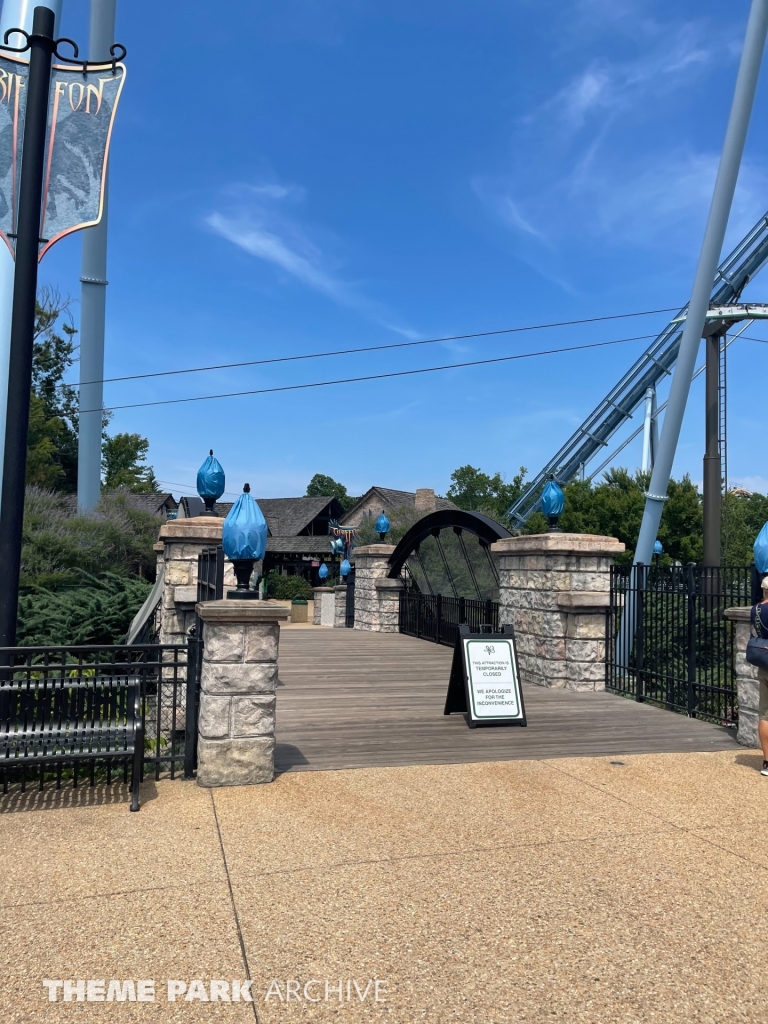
(100, 614)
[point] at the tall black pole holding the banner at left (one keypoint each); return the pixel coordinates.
(23, 321)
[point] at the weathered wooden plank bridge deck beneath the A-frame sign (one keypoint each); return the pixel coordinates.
(354, 700)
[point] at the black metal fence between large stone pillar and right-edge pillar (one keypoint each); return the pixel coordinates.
(667, 641)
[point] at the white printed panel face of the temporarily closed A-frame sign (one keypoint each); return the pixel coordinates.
(492, 678)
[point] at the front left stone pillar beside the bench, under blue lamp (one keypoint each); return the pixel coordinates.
(236, 727)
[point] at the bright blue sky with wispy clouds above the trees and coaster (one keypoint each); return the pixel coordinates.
(309, 176)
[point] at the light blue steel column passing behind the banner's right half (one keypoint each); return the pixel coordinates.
(94, 304)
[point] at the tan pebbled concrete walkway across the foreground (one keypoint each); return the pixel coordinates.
(577, 890)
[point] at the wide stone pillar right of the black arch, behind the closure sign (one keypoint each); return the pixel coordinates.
(554, 590)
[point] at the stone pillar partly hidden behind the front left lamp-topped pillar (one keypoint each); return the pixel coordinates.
(183, 541)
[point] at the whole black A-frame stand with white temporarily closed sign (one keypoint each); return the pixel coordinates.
(485, 684)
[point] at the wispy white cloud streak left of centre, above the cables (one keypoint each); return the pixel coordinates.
(257, 219)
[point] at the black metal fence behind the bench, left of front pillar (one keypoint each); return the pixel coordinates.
(168, 676)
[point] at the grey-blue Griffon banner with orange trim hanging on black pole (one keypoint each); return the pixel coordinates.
(81, 113)
